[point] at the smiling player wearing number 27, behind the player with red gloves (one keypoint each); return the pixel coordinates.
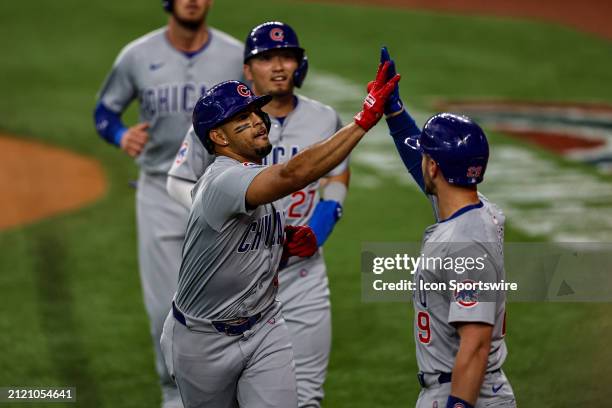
(274, 62)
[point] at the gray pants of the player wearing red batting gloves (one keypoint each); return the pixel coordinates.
(214, 370)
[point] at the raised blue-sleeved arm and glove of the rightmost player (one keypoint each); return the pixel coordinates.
(402, 127)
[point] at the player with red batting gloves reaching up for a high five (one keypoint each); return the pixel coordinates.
(226, 341)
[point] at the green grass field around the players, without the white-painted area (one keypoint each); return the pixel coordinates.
(72, 309)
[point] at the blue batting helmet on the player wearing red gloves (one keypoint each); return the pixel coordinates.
(222, 102)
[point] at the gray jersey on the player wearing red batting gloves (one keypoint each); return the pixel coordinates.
(231, 253)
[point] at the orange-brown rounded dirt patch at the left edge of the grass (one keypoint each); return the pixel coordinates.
(37, 181)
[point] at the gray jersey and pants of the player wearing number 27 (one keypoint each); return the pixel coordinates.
(303, 290)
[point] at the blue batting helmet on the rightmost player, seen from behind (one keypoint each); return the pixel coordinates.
(457, 144)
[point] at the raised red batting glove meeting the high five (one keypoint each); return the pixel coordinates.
(374, 103)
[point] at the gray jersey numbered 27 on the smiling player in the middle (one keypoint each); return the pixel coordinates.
(310, 122)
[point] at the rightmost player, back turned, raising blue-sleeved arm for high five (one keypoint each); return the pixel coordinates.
(459, 335)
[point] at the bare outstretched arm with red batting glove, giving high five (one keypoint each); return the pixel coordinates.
(311, 164)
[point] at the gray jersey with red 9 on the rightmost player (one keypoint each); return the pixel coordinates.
(477, 232)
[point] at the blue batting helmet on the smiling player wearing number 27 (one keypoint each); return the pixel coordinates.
(272, 35)
